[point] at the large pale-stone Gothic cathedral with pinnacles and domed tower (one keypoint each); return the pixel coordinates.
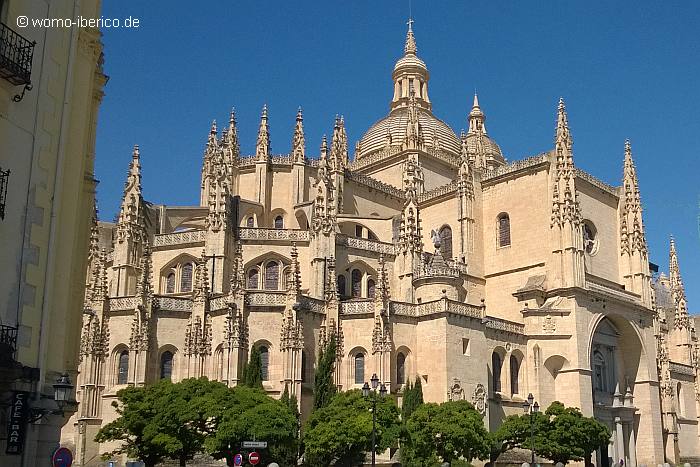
(426, 255)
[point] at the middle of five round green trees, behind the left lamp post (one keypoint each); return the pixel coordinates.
(342, 430)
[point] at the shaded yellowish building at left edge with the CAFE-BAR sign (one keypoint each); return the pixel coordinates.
(47, 143)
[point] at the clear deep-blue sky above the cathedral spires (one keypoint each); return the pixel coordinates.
(625, 69)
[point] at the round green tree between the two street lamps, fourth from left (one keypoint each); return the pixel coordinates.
(445, 433)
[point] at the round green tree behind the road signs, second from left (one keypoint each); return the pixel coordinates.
(247, 414)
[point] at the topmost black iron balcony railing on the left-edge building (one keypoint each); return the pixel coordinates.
(16, 55)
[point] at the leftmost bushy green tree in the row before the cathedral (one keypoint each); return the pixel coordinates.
(164, 420)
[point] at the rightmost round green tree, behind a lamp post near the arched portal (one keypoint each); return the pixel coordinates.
(562, 434)
